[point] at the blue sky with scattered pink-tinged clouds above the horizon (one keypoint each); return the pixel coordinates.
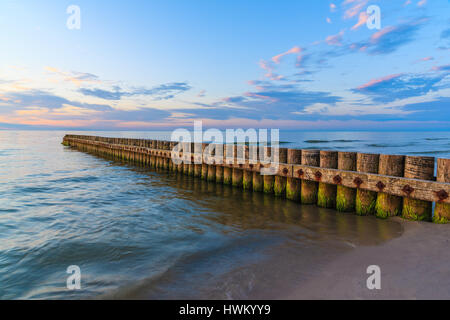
(160, 64)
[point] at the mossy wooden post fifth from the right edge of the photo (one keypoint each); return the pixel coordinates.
(346, 197)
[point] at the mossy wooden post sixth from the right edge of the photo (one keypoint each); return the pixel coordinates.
(326, 196)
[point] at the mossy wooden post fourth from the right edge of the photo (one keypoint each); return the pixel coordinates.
(365, 199)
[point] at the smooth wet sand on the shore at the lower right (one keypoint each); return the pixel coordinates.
(415, 265)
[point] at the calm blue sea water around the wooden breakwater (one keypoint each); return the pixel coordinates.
(140, 233)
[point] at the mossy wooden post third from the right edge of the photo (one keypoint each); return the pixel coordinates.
(389, 205)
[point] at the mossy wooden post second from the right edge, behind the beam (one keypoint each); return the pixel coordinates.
(417, 168)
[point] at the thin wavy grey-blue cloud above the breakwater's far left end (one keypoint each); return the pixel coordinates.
(161, 92)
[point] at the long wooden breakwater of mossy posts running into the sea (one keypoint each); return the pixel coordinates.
(367, 184)
